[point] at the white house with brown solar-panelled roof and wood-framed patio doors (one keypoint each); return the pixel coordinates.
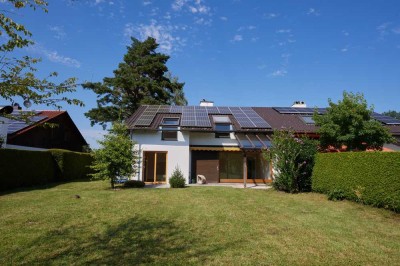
(224, 144)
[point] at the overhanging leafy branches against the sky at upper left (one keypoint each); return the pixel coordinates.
(17, 75)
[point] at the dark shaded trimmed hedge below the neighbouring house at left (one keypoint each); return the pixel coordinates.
(21, 168)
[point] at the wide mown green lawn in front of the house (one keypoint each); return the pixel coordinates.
(197, 225)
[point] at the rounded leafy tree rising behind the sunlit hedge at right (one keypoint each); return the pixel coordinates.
(349, 123)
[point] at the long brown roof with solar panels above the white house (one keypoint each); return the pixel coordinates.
(244, 119)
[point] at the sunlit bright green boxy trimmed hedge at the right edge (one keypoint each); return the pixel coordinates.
(369, 177)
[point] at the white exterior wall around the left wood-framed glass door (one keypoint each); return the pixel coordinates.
(178, 152)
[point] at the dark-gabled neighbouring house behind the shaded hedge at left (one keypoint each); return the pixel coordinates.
(44, 130)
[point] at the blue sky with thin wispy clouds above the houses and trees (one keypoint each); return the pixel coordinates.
(236, 53)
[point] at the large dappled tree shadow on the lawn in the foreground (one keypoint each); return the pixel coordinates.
(135, 241)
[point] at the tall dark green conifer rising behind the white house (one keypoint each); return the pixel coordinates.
(142, 78)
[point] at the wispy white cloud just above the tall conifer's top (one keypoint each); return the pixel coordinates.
(162, 33)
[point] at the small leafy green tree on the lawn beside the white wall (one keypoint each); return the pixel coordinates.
(116, 156)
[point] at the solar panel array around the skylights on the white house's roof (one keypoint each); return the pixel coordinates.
(198, 116)
